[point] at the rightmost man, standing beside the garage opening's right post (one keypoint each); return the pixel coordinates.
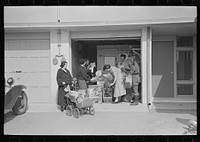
(133, 68)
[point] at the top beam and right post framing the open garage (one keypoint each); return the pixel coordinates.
(145, 34)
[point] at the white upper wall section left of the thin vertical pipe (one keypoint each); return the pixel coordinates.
(30, 14)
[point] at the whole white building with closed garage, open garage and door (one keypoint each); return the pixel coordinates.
(164, 36)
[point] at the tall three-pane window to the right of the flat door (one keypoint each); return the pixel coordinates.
(184, 66)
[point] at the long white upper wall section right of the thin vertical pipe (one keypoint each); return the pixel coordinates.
(117, 13)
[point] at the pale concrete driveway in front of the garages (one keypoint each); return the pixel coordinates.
(102, 123)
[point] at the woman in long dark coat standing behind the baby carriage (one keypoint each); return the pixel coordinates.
(64, 79)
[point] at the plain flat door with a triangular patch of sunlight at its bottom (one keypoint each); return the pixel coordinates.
(163, 62)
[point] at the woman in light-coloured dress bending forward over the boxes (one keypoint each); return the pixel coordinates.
(119, 88)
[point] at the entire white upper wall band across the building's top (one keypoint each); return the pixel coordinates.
(43, 14)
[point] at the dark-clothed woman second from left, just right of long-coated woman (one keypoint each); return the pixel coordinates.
(82, 75)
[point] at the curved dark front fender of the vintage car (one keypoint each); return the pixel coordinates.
(12, 96)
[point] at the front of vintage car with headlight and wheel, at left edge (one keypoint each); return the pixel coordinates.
(16, 99)
